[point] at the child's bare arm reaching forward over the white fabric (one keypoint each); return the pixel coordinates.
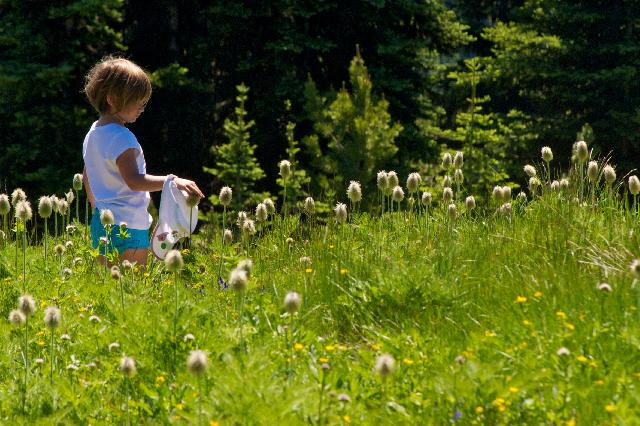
(144, 182)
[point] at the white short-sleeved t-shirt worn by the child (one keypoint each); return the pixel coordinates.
(101, 147)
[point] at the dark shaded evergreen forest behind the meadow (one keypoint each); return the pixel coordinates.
(496, 79)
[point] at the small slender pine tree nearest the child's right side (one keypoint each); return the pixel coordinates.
(236, 162)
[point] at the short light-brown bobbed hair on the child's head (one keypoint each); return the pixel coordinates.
(119, 80)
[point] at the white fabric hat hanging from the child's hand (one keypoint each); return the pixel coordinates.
(174, 219)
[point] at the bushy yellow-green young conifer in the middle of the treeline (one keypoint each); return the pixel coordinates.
(355, 135)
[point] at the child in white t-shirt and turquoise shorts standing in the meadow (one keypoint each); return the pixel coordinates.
(115, 174)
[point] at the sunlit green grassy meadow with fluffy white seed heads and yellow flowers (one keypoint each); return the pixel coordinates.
(522, 309)
